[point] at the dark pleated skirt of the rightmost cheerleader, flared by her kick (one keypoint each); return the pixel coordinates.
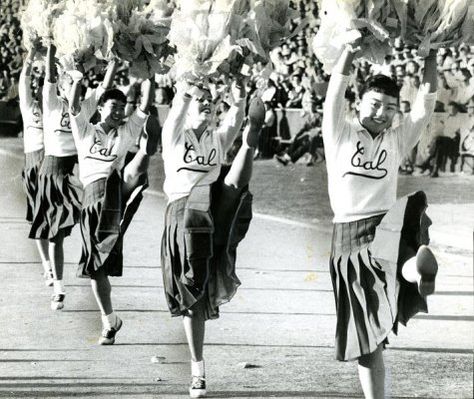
(371, 295)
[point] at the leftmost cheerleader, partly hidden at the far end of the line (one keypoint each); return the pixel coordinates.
(30, 106)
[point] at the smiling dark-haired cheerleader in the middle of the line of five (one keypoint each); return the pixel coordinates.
(109, 195)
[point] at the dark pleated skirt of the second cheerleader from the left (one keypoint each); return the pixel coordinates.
(57, 201)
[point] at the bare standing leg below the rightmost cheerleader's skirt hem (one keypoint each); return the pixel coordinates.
(372, 374)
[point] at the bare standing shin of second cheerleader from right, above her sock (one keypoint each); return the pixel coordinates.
(194, 327)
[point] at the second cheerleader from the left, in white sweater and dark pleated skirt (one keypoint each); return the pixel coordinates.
(57, 203)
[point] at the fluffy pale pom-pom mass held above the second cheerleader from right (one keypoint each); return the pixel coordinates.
(218, 38)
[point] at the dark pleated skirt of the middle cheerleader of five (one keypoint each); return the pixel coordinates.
(104, 221)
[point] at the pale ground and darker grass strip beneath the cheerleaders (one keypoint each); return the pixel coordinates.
(281, 320)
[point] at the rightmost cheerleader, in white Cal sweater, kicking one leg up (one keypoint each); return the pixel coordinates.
(380, 266)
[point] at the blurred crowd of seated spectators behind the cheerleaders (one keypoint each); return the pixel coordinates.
(295, 91)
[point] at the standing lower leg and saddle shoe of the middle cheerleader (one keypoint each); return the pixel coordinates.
(102, 292)
